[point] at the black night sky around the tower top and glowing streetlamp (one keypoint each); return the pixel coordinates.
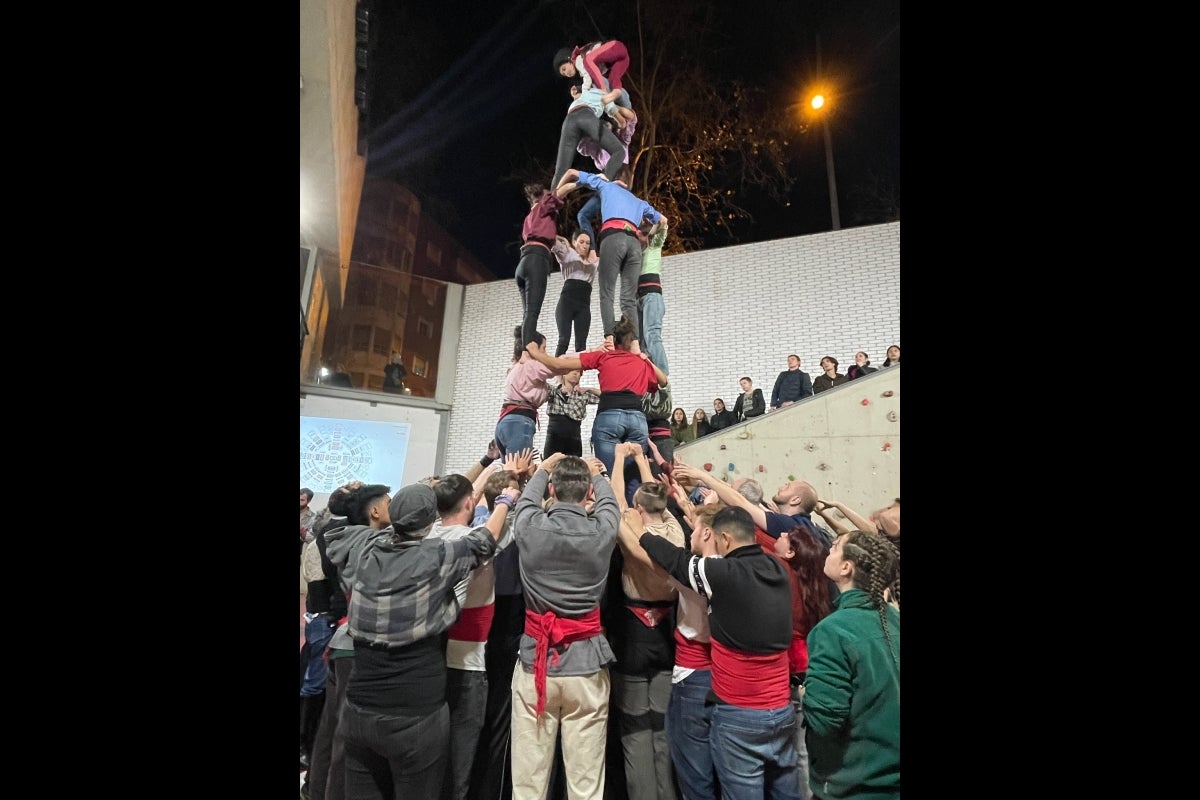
(466, 105)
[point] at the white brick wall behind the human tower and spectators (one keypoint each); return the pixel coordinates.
(730, 312)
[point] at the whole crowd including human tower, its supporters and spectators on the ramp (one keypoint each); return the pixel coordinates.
(614, 625)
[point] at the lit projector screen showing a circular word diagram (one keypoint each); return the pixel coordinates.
(335, 452)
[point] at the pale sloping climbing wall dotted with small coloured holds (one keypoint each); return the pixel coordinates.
(845, 442)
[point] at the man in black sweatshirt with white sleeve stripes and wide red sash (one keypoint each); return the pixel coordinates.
(751, 617)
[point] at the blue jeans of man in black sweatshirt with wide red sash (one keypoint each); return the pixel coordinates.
(754, 753)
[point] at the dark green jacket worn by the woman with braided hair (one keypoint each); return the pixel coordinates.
(853, 703)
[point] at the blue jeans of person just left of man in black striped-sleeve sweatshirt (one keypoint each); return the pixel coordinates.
(688, 727)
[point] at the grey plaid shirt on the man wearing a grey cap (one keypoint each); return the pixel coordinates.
(404, 588)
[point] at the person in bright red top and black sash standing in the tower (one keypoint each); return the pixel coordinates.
(625, 378)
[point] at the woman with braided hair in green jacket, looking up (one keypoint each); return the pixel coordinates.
(853, 684)
